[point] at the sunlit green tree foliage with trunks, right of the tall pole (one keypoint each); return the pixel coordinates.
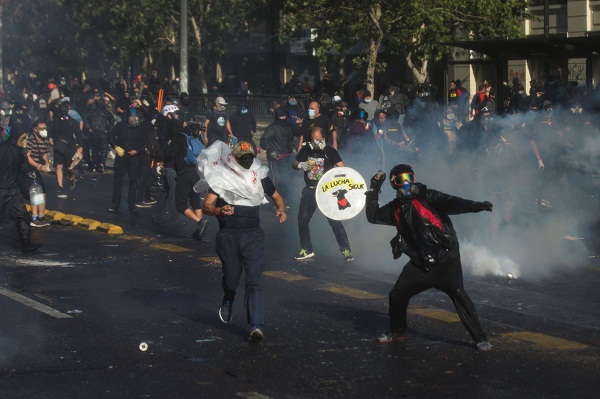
(414, 29)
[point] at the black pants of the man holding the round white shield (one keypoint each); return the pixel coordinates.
(308, 206)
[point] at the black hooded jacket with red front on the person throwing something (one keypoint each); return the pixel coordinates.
(425, 232)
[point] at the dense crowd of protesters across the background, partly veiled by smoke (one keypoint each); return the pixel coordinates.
(549, 128)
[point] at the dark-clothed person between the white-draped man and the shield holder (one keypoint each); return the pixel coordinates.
(278, 142)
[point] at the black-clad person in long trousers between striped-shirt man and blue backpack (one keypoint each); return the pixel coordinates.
(128, 140)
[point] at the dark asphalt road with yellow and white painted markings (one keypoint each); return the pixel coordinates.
(75, 314)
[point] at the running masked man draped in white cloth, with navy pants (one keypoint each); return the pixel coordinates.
(240, 242)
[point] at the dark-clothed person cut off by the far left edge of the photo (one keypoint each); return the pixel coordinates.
(13, 165)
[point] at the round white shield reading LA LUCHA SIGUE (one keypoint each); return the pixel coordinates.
(341, 193)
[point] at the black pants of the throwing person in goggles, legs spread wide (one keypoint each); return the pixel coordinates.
(446, 277)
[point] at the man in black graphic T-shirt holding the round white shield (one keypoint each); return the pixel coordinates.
(315, 158)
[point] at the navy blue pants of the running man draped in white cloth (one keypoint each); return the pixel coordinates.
(243, 250)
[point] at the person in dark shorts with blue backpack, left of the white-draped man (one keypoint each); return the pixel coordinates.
(187, 201)
